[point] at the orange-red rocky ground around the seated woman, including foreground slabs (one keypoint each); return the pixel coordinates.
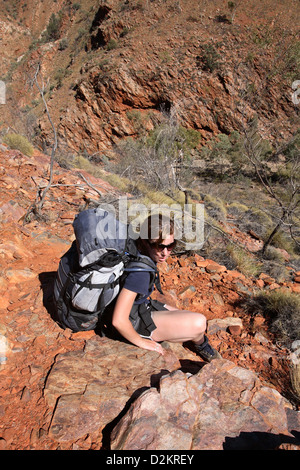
(64, 390)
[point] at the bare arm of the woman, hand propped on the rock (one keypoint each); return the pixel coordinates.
(121, 322)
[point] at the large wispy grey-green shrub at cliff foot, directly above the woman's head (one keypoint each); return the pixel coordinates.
(146, 158)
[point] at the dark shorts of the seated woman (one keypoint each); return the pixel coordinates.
(141, 317)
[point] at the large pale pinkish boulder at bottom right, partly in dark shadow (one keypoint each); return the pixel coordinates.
(223, 406)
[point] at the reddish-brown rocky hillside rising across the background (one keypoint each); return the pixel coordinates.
(111, 59)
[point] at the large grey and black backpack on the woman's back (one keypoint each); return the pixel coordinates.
(91, 271)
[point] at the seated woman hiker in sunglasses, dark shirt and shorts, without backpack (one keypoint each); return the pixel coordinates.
(145, 322)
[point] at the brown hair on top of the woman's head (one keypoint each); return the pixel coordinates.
(157, 227)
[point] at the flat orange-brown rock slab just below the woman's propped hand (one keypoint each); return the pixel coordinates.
(88, 389)
